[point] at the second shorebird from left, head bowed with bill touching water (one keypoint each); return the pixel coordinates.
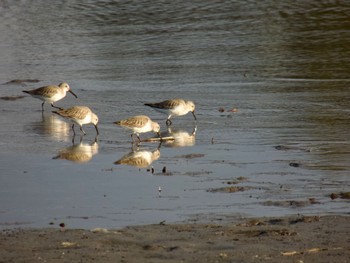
(79, 115)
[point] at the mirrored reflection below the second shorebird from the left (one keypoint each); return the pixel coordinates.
(80, 152)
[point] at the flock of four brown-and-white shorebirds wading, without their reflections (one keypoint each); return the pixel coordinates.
(83, 115)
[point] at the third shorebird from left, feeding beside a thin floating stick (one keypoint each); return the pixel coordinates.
(139, 124)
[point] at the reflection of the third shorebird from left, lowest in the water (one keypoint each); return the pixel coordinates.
(139, 158)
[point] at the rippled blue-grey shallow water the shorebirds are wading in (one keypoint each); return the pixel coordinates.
(283, 66)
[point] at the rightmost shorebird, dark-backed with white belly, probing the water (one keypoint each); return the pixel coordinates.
(174, 107)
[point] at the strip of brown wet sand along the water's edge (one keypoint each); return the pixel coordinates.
(285, 239)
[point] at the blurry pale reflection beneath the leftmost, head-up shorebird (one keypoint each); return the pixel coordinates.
(52, 126)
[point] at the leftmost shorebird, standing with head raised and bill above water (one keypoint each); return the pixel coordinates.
(50, 93)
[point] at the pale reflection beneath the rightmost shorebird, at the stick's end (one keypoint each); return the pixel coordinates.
(181, 138)
